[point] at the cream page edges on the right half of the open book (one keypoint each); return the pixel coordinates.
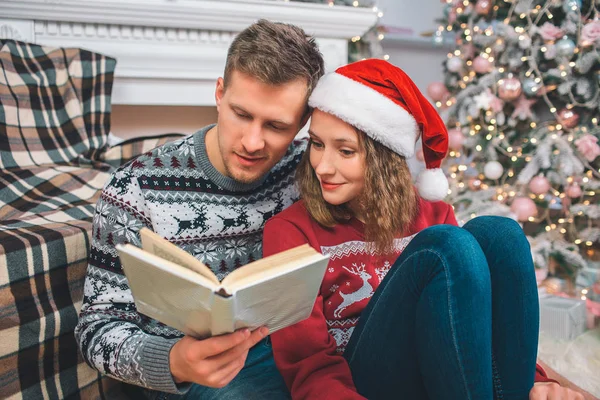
(267, 267)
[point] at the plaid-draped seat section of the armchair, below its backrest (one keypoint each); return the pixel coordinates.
(45, 233)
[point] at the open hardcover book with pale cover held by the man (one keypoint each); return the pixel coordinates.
(173, 287)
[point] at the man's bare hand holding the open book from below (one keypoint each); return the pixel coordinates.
(215, 361)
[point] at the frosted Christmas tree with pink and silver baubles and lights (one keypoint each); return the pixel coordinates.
(521, 98)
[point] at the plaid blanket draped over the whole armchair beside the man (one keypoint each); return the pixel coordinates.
(54, 113)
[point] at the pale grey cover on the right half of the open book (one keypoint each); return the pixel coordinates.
(283, 299)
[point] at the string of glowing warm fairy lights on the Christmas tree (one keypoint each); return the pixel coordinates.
(565, 119)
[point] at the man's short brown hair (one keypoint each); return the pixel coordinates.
(275, 54)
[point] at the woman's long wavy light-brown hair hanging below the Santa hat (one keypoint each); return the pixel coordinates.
(389, 200)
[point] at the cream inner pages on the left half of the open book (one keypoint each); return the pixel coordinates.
(155, 244)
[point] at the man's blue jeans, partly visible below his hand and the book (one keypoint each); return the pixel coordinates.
(258, 380)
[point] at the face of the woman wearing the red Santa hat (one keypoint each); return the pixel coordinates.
(337, 159)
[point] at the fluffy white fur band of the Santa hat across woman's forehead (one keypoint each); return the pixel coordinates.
(368, 110)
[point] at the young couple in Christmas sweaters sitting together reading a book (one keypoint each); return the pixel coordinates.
(411, 306)
